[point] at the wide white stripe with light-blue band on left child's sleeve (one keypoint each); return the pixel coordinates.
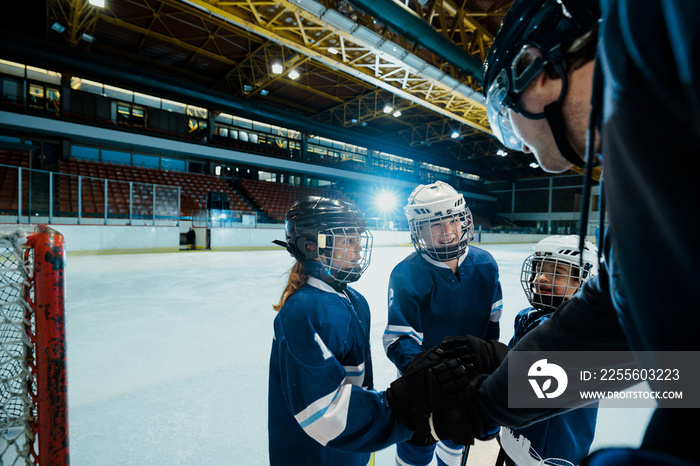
(326, 418)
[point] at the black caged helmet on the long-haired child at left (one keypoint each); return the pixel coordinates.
(311, 227)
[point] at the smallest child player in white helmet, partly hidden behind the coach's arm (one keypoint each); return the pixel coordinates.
(549, 277)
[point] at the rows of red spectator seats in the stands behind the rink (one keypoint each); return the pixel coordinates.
(274, 199)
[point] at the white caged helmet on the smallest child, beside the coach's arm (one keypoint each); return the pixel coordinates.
(557, 250)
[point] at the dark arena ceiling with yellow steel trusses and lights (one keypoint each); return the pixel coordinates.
(354, 59)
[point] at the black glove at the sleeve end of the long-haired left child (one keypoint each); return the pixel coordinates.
(431, 382)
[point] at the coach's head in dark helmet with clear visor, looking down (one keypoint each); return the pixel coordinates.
(536, 77)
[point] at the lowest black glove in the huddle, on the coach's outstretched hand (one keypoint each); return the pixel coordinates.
(462, 424)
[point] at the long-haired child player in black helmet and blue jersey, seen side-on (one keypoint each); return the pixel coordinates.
(322, 406)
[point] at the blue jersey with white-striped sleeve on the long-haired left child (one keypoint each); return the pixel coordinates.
(323, 409)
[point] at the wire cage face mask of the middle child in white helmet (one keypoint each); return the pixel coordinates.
(445, 238)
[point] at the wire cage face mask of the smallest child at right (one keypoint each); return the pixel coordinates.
(548, 281)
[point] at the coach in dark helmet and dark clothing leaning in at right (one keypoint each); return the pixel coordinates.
(634, 105)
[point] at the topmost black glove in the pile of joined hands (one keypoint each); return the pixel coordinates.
(483, 355)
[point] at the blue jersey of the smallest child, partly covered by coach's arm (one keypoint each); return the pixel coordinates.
(564, 439)
